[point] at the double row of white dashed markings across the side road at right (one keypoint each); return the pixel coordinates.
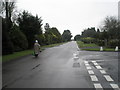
(95, 79)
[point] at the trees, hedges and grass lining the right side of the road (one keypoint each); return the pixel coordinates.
(108, 36)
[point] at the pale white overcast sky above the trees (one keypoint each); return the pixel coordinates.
(75, 15)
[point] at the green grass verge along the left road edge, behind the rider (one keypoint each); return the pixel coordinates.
(17, 55)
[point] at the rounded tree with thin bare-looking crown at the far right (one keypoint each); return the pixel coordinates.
(110, 31)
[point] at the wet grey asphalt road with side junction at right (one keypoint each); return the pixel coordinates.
(63, 66)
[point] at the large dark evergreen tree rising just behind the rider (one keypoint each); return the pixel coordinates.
(30, 25)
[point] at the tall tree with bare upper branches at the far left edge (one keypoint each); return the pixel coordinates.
(8, 7)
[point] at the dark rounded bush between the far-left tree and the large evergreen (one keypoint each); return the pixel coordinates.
(18, 38)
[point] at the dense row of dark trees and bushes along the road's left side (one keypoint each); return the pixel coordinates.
(21, 29)
